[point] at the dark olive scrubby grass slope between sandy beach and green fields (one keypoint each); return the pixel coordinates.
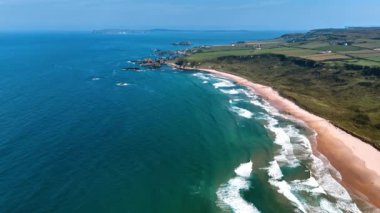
(348, 96)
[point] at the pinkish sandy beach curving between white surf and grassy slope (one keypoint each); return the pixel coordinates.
(356, 161)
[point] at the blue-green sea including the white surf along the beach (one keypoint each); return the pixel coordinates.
(79, 134)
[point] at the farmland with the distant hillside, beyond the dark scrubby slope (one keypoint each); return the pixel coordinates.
(353, 46)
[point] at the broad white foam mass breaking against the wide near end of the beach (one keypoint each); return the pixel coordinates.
(296, 147)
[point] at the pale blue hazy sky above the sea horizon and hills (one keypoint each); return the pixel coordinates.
(190, 14)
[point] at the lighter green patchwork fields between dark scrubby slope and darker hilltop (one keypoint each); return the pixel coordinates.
(309, 49)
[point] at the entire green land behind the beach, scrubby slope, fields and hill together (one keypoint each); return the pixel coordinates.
(342, 85)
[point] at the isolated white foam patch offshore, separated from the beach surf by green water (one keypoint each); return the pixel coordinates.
(229, 193)
